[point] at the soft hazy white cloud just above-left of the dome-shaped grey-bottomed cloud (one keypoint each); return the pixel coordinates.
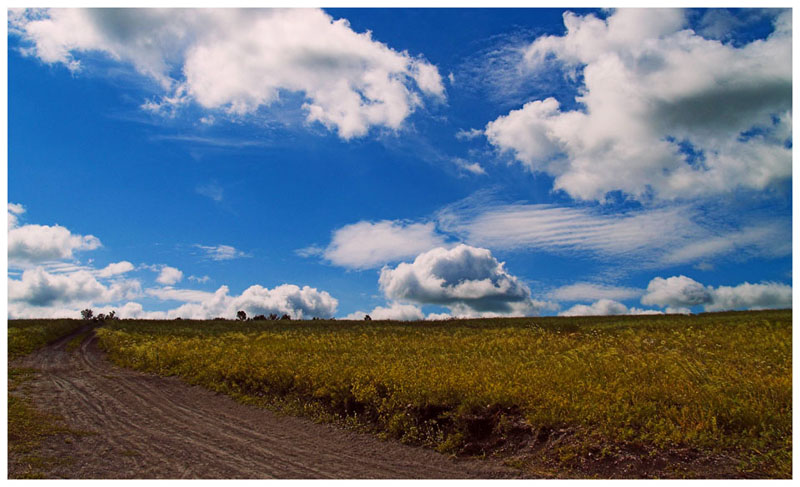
(365, 245)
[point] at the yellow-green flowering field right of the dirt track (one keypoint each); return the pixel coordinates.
(695, 396)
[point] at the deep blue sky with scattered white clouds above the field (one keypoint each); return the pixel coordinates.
(405, 163)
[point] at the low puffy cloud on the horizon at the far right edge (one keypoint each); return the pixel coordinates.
(681, 293)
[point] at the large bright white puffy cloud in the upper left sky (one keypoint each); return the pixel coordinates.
(241, 60)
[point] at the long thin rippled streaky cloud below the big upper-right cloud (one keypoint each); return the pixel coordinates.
(667, 235)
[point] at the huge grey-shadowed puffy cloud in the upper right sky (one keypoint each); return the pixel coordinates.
(664, 113)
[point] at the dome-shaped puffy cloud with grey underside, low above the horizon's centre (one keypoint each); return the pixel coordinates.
(468, 280)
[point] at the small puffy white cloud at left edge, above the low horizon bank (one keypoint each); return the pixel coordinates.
(31, 244)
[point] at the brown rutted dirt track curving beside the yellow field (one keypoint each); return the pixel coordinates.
(154, 427)
